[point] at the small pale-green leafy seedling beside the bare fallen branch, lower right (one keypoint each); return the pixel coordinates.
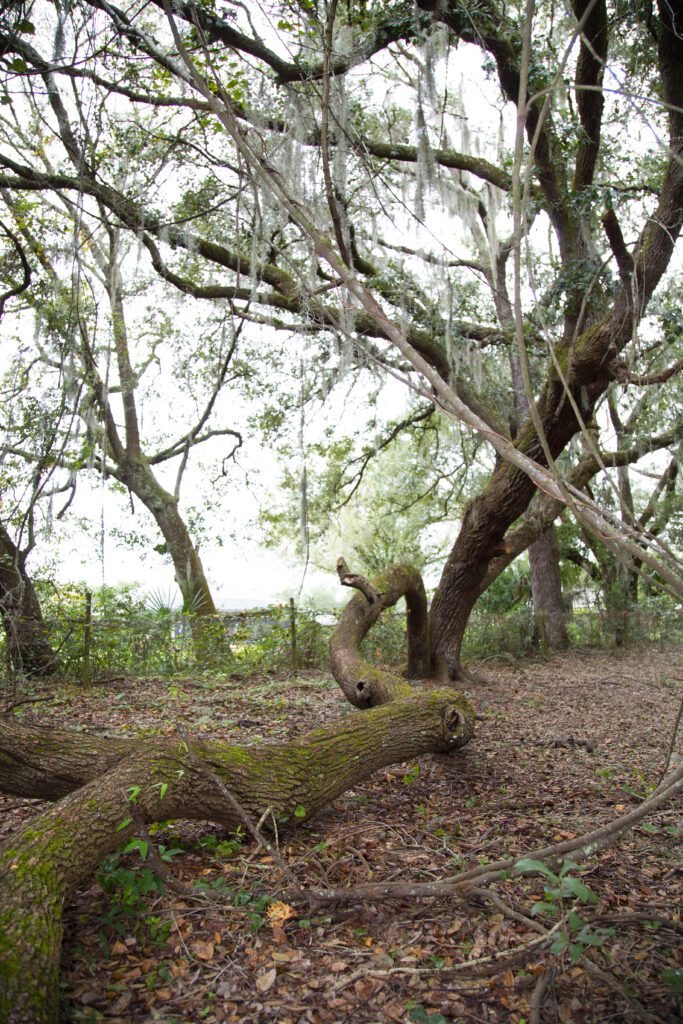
(579, 935)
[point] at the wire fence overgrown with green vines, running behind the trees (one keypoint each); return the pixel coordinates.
(96, 642)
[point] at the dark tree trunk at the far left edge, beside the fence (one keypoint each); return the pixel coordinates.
(28, 641)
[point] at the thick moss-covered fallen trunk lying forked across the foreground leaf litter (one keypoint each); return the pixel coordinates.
(94, 782)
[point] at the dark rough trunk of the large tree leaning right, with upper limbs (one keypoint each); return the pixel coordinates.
(588, 357)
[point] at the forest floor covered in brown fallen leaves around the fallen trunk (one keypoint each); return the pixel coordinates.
(563, 746)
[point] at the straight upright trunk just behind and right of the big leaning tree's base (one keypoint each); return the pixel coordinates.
(549, 616)
